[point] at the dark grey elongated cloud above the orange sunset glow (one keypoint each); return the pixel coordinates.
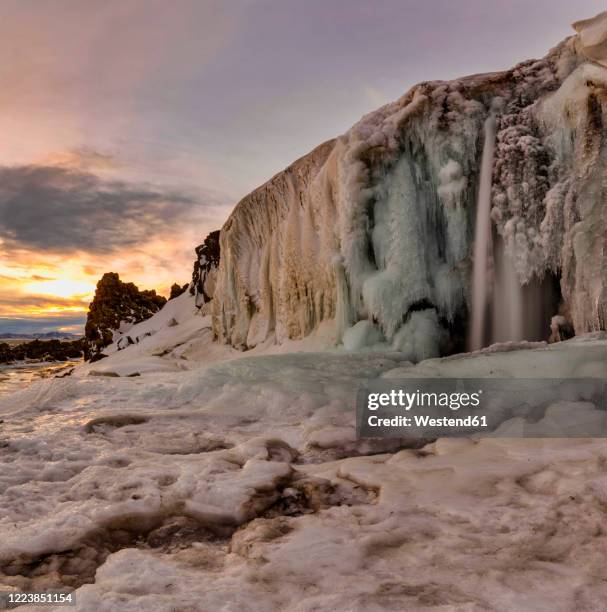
(62, 209)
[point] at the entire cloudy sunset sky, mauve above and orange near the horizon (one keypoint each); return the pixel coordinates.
(130, 128)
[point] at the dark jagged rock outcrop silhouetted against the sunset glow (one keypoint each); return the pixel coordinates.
(116, 303)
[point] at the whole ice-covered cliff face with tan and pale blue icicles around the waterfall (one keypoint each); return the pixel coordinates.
(378, 225)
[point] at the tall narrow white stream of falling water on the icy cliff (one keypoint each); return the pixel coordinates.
(482, 241)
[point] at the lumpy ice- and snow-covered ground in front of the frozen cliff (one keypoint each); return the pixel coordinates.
(223, 482)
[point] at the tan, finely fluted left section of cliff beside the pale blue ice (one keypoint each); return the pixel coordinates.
(272, 275)
